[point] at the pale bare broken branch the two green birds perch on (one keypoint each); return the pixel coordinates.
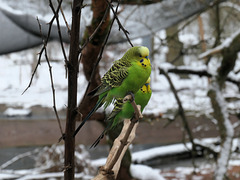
(120, 145)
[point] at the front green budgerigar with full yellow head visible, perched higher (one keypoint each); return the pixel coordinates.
(127, 75)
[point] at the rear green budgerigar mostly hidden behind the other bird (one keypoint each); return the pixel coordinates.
(123, 111)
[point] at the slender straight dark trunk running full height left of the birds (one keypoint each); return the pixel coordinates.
(72, 65)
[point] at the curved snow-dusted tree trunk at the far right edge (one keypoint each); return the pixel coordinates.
(226, 130)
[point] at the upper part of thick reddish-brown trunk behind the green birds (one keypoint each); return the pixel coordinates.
(91, 52)
